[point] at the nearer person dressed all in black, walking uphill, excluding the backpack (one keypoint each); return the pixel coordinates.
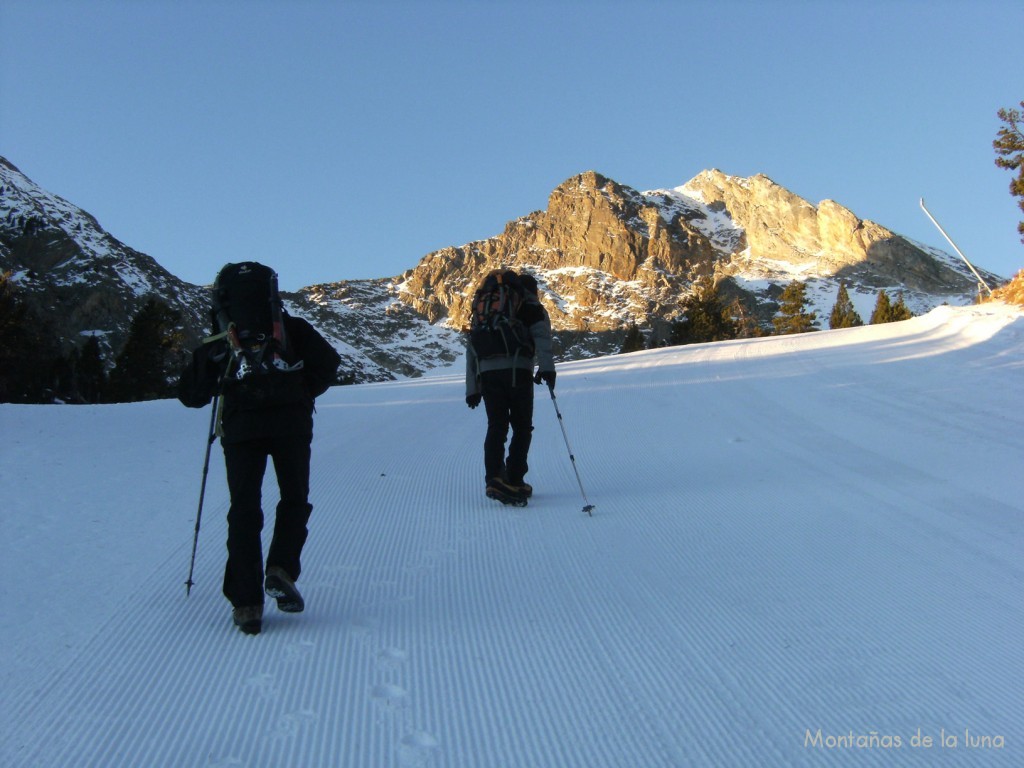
(265, 415)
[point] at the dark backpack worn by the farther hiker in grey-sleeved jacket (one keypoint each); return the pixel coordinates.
(496, 329)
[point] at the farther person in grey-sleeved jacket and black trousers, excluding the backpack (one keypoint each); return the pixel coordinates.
(505, 382)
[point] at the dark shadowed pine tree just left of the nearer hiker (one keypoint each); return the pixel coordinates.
(144, 368)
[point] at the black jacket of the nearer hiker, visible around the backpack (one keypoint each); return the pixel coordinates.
(286, 411)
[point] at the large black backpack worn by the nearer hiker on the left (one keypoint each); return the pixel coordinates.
(247, 312)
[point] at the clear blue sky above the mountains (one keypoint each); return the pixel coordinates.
(349, 140)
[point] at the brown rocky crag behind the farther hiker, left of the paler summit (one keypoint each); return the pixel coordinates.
(605, 254)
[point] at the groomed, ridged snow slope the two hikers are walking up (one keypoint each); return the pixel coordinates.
(805, 552)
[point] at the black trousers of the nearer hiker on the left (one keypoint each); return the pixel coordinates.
(246, 464)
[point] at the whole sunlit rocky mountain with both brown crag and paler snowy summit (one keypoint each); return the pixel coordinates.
(607, 255)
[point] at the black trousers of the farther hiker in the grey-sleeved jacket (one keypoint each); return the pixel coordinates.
(508, 399)
